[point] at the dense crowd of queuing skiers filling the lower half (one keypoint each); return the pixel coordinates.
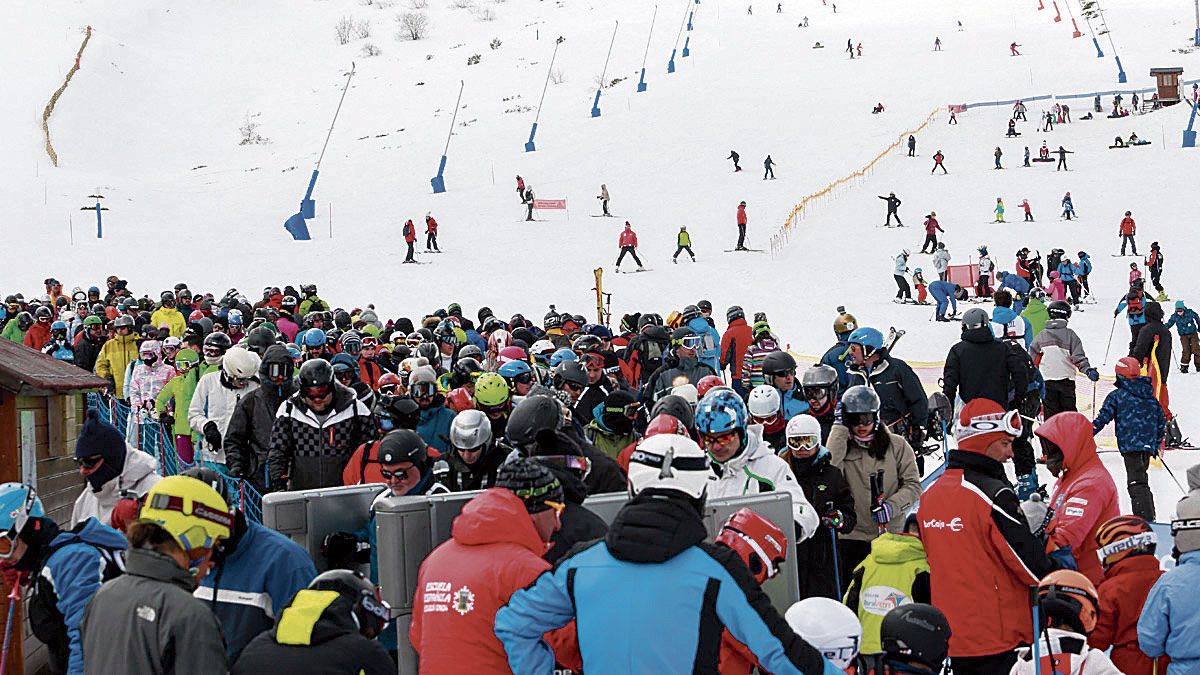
(290, 393)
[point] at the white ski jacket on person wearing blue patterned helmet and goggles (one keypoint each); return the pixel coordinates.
(757, 470)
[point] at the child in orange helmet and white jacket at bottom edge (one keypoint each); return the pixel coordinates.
(1070, 607)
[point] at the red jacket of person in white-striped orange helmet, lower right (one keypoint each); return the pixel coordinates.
(1123, 596)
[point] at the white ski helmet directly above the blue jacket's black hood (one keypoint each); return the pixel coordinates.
(670, 463)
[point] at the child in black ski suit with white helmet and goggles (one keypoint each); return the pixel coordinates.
(829, 493)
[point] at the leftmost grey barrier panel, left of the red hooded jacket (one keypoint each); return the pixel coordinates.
(309, 516)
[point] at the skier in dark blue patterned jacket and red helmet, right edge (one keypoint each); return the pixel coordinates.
(1141, 429)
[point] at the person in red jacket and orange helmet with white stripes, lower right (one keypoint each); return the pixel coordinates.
(1127, 547)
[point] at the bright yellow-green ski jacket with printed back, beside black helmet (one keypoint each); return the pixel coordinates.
(895, 574)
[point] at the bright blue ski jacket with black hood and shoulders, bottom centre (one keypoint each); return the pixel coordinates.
(653, 569)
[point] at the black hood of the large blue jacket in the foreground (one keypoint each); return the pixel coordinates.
(655, 528)
